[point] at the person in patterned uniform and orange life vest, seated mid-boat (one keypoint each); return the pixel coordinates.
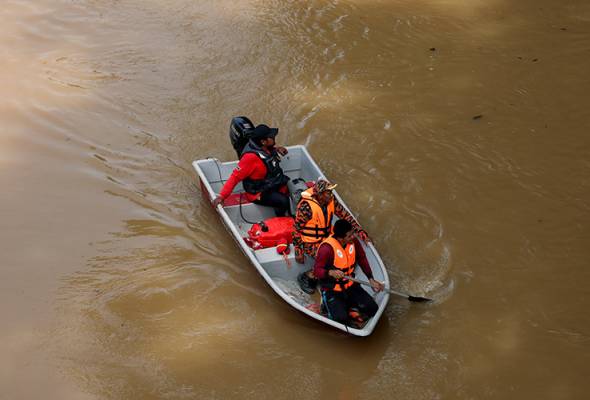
(313, 224)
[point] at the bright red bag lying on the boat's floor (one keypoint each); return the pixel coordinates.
(280, 230)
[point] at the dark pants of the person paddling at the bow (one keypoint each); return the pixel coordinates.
(338, 303)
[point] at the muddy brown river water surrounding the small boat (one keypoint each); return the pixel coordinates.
(457, 131)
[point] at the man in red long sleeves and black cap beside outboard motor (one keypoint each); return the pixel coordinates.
(259, 170)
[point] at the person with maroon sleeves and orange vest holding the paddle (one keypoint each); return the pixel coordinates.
(337, 257)
